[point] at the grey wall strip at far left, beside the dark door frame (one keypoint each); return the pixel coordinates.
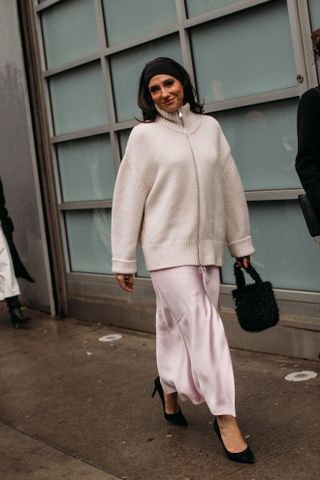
(17, 162)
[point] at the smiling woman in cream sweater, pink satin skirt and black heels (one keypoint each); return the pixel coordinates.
(179, 193)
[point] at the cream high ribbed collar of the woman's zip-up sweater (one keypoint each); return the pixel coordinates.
(183, 120)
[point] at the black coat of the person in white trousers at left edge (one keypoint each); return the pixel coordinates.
(7, 227)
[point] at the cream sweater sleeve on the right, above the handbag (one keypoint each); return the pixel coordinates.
(237, 226)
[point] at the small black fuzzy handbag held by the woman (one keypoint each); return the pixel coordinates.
(255, 304)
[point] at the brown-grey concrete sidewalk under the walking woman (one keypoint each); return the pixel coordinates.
(75, 408)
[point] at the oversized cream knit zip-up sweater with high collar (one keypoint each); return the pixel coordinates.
(179, 193)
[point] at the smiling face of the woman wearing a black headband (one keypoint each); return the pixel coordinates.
(166, 92)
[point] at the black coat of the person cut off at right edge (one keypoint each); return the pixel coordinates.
(308, 158)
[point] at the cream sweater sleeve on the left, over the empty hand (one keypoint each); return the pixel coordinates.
(127, 212)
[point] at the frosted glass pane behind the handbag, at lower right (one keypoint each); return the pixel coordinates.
(285, 253)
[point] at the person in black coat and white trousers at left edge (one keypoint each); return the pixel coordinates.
(10, 252)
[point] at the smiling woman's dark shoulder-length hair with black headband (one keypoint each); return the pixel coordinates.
(145, 102)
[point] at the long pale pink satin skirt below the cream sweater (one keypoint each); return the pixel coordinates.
(193, 355)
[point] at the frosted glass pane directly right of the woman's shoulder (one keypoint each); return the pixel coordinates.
(263, 140)
